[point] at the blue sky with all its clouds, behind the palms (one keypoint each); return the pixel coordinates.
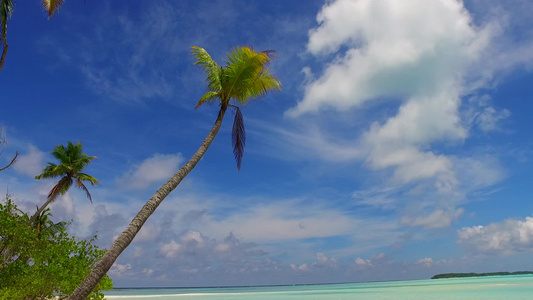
(399, 148)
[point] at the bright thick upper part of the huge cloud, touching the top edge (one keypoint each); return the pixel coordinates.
(389, 54)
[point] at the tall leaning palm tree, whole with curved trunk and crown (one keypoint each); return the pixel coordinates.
(245, 76)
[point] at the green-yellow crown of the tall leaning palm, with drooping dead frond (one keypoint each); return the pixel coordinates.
(245, 77)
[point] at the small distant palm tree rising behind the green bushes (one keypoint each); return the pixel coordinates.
(72, 161)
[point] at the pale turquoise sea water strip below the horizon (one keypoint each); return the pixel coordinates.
(497, 287)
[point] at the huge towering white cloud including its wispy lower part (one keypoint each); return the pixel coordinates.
(377, 52)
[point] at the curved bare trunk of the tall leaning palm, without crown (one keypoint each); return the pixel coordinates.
(125, 238)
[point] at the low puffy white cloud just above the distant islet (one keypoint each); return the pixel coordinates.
(503, 238)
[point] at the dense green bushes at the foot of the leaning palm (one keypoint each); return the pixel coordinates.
(34, 265)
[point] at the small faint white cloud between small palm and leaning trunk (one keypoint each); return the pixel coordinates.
(154, 169)
